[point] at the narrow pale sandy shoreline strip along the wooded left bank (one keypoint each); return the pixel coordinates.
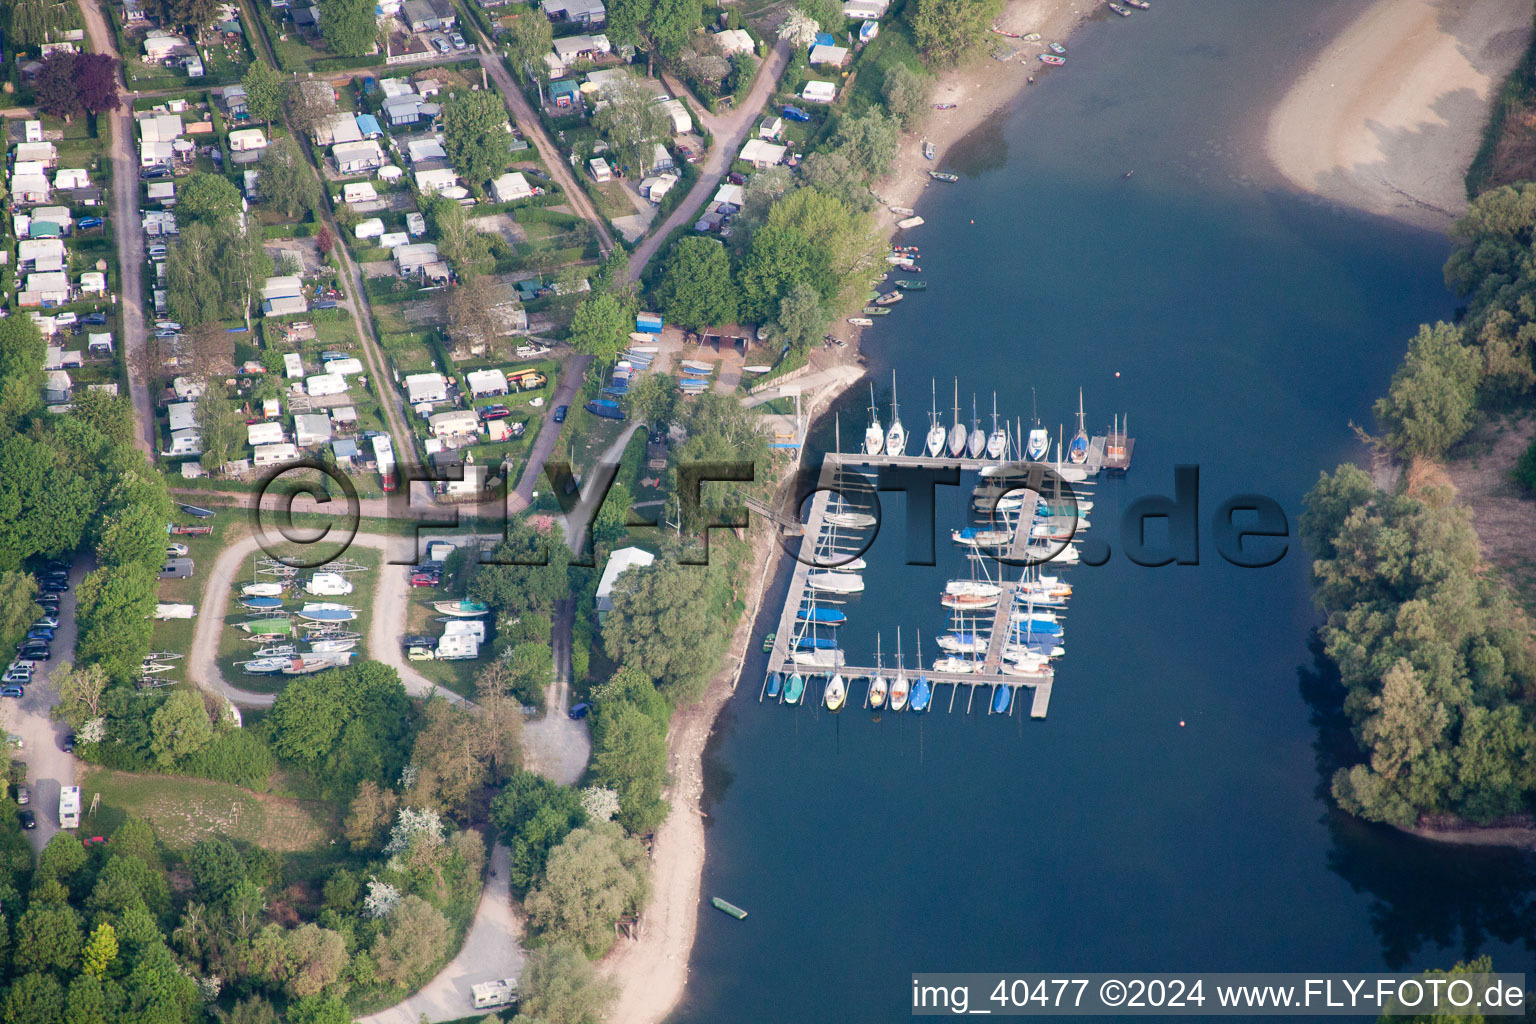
(652, 971)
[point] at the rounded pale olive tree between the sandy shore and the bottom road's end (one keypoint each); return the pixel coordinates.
(594, 877)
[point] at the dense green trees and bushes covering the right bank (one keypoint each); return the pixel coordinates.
(1437, 658)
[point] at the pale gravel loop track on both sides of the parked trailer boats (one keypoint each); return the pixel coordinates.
(391, 598)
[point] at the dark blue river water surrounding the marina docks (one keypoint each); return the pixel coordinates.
(1250, 328)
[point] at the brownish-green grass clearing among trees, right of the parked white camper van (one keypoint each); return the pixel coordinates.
(187, 810)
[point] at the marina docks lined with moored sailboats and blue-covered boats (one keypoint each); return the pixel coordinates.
(1005, 624)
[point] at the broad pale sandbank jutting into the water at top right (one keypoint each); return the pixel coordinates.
(1392, 113)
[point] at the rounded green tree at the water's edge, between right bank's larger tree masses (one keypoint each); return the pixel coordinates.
(1434, 394)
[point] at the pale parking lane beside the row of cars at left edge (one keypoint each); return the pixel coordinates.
(48, 767)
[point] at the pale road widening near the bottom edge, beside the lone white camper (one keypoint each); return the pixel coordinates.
(491, 951)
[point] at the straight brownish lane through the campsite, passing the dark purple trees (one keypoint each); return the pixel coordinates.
(130, 236)
